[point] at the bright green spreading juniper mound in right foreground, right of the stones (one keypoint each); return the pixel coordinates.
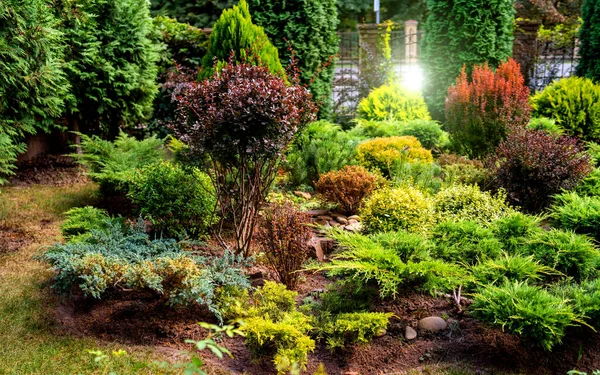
(528, 311)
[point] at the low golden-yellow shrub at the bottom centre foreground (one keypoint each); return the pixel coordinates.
(274, 328)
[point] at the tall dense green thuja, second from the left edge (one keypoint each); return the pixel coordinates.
(112, 63)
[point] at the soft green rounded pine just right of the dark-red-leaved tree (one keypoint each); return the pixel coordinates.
(320, 148)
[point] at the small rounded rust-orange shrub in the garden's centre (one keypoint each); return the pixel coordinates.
(348, 187)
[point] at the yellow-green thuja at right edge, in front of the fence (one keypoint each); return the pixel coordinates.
(574, 103)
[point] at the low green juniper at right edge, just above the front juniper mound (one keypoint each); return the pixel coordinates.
(572, 254)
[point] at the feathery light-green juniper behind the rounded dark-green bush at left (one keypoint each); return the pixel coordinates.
(112, 164)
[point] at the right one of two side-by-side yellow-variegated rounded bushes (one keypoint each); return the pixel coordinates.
(463, 202)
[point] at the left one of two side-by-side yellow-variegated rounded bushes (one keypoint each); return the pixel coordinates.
(394, 209)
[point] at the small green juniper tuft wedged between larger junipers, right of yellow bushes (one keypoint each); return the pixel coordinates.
(515, 230)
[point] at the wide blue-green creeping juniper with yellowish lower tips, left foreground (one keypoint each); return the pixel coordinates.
(119, 257)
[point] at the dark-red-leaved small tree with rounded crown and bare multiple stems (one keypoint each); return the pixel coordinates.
(239, 122)
